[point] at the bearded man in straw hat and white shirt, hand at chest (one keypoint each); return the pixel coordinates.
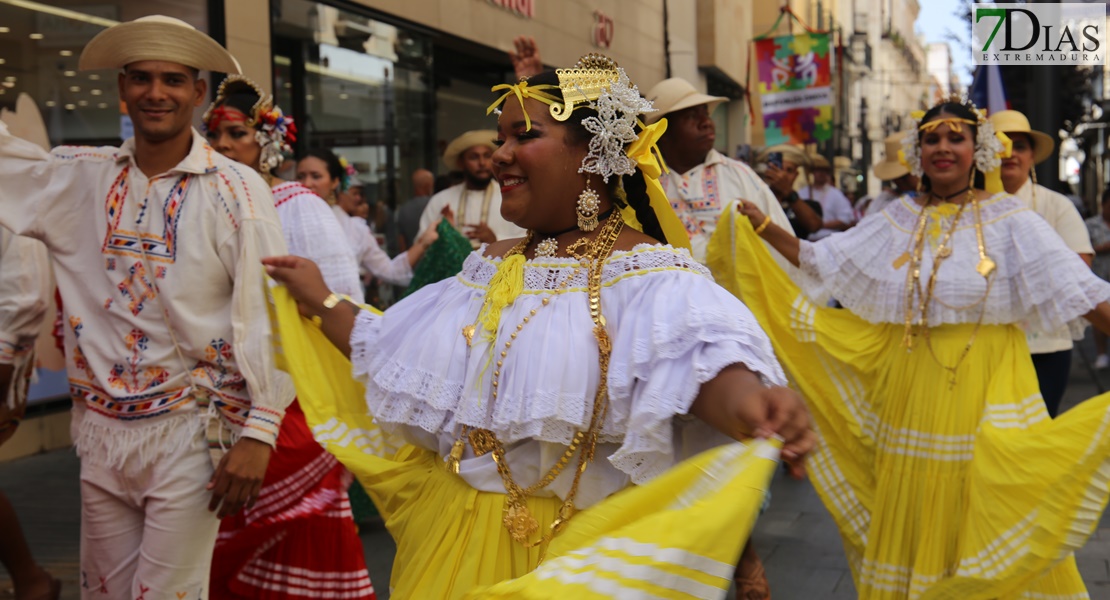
(476, 205)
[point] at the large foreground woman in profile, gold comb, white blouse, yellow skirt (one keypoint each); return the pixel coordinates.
(558, 384)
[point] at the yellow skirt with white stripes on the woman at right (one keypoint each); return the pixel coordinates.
(944, 486)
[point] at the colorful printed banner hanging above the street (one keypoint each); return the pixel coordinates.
(795, 88)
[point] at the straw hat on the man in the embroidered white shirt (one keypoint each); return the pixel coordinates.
(156, 38)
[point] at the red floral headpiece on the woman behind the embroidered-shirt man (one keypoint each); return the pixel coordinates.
(275, 131)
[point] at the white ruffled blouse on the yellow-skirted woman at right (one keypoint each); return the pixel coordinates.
(1040, 281)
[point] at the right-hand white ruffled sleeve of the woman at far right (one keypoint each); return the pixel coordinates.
(1046, 281)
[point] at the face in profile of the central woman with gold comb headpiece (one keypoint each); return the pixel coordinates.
(539, 169)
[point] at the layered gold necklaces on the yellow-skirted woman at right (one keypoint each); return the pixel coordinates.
(919, 298)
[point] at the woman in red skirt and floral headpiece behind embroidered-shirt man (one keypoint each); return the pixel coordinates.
(298, 541)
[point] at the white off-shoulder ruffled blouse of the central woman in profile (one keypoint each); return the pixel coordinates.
(672, 328)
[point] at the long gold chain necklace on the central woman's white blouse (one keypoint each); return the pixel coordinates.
(518, 518)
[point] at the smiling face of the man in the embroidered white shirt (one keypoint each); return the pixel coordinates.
(162, 98)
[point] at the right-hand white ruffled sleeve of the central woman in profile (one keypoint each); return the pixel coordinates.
(677, 331)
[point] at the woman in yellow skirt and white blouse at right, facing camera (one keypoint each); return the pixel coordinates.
(939, 461)
